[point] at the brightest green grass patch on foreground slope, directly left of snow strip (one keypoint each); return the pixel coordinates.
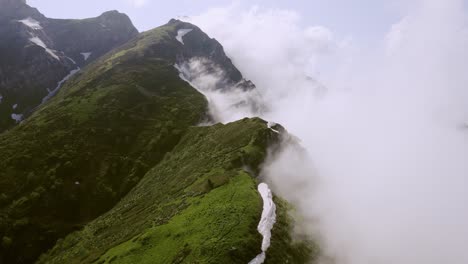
(215, 228)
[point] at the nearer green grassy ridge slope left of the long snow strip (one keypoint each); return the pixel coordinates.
(199, 204)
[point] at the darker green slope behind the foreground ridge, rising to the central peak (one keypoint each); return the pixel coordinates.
(84, 150)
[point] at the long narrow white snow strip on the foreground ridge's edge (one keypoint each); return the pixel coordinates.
(267, 221)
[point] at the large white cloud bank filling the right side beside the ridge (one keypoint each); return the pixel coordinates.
(384, 175)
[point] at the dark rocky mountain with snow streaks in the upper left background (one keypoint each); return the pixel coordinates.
(37, 53)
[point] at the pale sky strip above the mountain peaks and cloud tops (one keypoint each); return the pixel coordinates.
(359, 17)
